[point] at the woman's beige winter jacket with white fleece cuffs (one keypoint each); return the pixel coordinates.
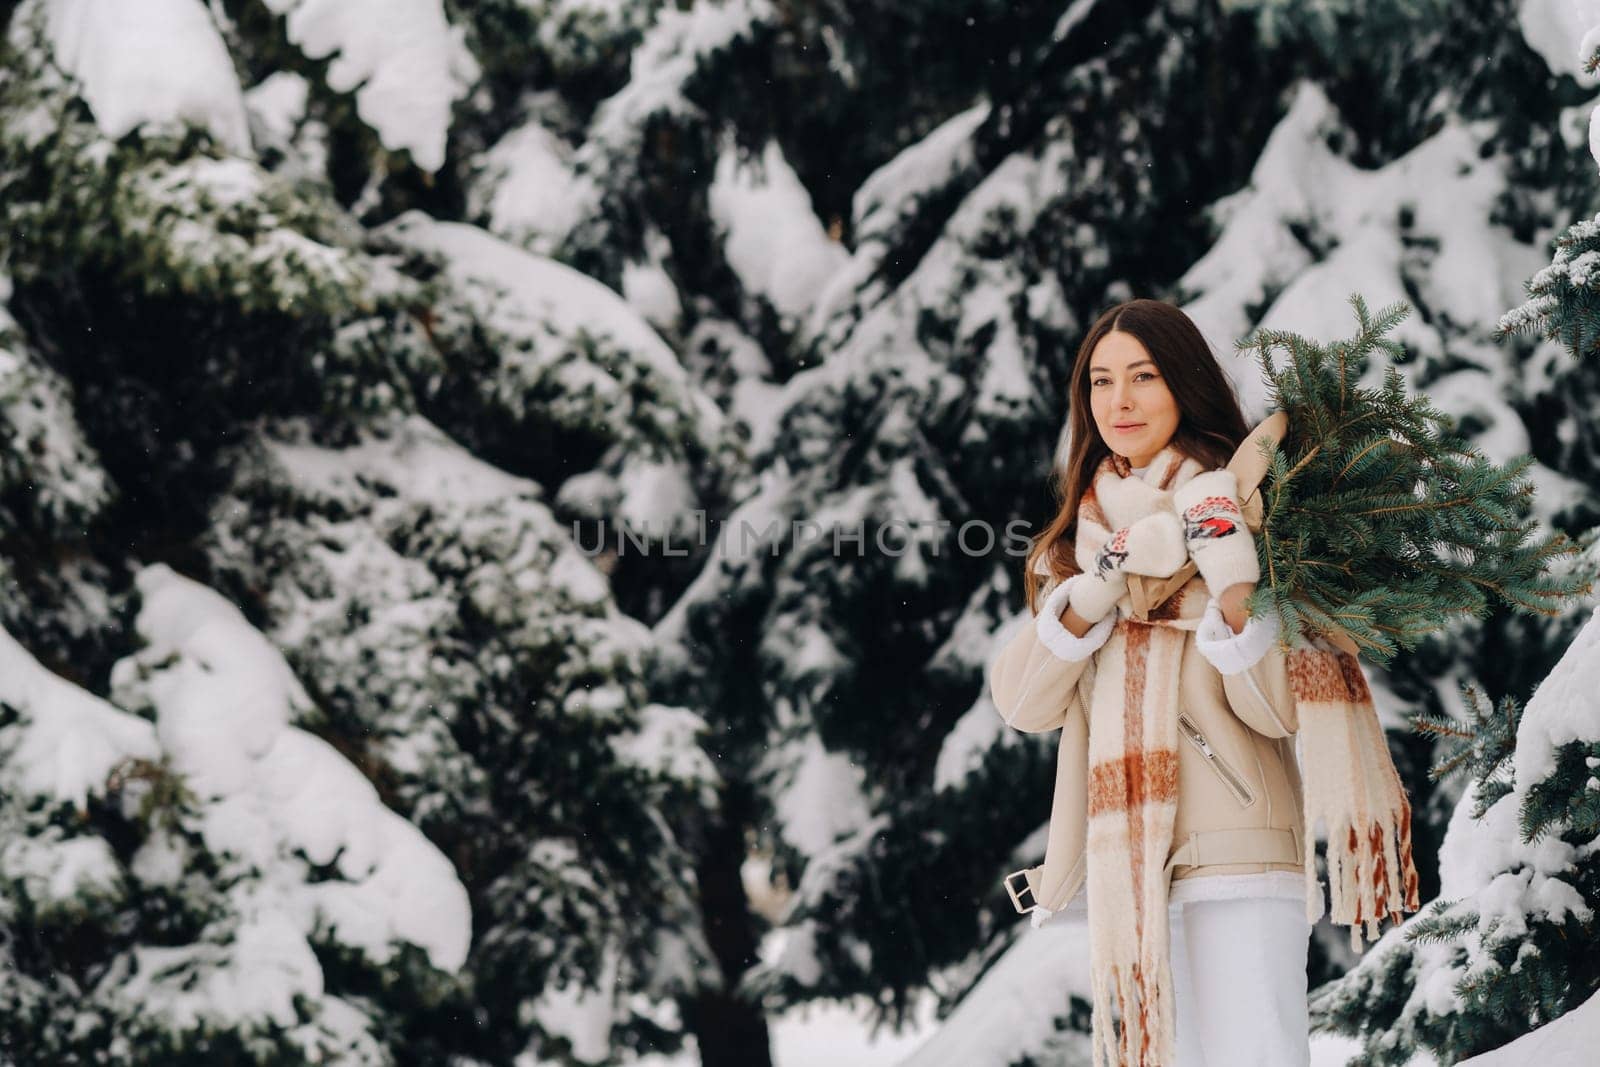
(1239, 794)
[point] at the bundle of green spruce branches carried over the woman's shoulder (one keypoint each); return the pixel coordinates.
(1382, 521)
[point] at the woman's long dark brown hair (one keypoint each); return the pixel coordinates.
(1210, 423)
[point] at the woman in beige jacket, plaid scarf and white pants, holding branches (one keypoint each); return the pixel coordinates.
(1177, 825)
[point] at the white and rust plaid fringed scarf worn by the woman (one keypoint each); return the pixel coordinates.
(1351, 785)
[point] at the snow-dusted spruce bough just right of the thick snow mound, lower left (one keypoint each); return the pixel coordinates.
(478, 666)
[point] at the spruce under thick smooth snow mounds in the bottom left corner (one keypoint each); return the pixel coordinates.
(188, 877)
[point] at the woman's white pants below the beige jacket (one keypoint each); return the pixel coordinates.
(1239, 977)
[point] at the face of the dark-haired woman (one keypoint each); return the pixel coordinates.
(1134, 409)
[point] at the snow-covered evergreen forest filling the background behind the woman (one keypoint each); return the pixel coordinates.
(338, 335)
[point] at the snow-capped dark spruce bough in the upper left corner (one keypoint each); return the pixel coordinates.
(180, 286)
